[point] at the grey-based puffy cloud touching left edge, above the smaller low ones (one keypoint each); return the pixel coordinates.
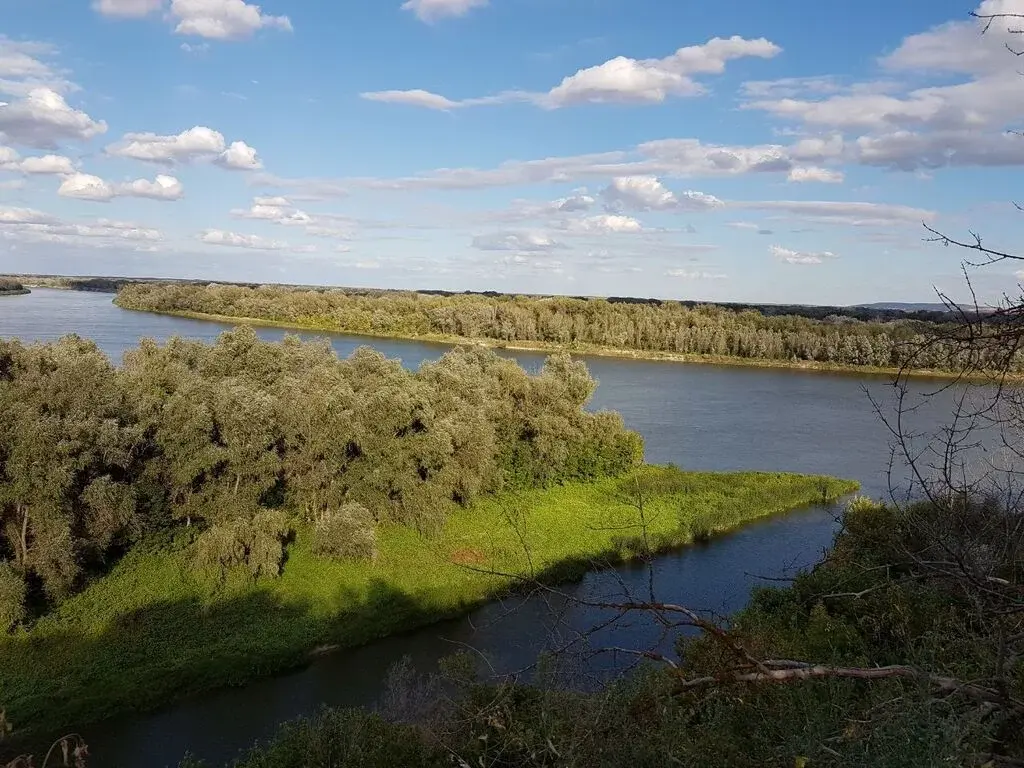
(44, 118)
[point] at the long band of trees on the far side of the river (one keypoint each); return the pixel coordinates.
(573, 323)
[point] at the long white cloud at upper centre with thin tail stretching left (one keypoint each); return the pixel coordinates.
(621, 80)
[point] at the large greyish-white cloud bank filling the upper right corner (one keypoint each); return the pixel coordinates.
(891, 124)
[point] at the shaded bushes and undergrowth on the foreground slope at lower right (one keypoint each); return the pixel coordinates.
(918, 665)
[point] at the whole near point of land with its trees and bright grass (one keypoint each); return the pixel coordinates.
(204, 515)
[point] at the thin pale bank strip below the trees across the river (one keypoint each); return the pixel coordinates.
(591, 351)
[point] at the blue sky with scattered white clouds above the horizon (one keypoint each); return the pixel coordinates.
(784, 152)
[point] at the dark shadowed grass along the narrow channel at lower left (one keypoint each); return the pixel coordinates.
(170, 651)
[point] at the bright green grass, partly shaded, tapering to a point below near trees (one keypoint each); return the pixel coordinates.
(155, 630)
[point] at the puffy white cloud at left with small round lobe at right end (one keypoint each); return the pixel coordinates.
(198, 144)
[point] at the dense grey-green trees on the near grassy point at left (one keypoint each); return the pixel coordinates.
(242, 443)
